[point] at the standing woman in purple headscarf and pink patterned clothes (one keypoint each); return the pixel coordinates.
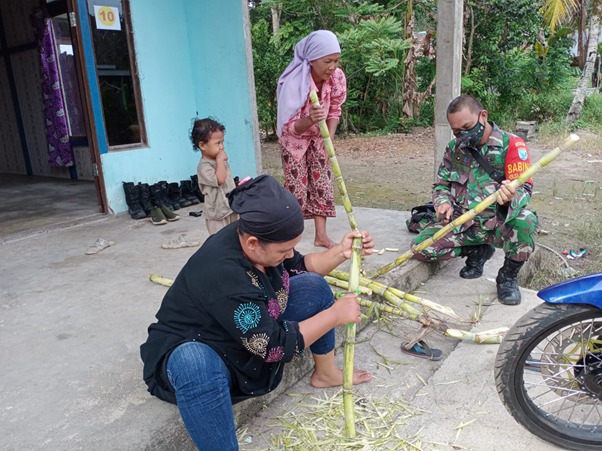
(307, 170)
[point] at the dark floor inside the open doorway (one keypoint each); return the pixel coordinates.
(31, 203)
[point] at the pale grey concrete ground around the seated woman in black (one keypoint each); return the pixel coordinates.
(71, 326)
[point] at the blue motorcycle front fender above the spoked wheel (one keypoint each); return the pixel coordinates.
(581, 290)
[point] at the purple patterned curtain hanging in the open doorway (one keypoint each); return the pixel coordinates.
(60, 152)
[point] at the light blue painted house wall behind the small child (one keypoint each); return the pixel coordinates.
(191, 57)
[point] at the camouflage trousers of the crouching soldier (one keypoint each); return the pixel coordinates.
(516, 238)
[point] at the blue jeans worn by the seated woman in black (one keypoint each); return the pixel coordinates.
(202, 381)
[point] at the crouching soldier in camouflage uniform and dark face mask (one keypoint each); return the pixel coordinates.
(462, 183)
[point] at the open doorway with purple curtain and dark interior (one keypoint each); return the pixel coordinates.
(48, 170)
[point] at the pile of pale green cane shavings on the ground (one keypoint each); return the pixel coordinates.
(315, 424)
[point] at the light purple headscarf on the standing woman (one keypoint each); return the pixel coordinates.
(294, 83)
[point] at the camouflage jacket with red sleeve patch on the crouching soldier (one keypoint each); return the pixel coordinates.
(463, 183)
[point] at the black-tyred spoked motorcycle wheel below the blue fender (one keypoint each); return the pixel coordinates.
(548, 373)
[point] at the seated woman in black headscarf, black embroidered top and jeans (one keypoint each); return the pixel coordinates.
(245, 304)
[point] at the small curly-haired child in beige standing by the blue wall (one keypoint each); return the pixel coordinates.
(215, 178)
